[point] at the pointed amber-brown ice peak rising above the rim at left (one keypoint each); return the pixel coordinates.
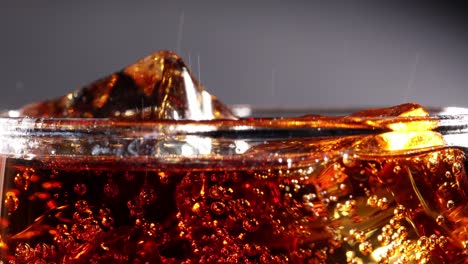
(159, 86)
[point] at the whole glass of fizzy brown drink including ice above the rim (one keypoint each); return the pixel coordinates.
(377, 186)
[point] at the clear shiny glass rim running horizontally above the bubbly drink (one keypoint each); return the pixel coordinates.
(168, 139)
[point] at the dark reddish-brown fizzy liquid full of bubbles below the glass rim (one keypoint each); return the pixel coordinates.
(349, 208)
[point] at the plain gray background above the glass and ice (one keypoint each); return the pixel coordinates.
(313, 54)
